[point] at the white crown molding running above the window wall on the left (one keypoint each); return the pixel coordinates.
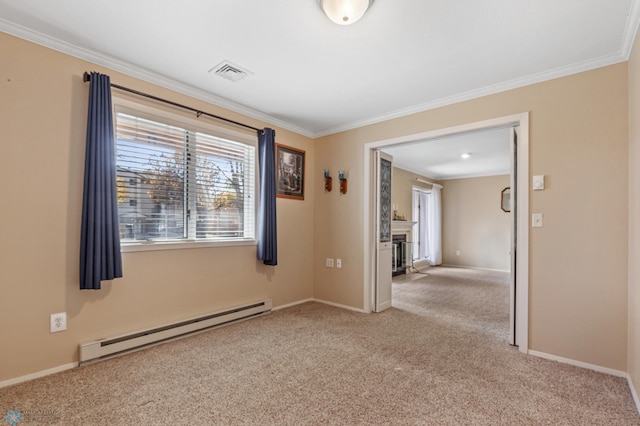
(142, 74)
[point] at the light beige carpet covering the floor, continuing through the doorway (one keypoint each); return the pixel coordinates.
(421, 362)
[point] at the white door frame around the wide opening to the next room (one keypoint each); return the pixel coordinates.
(522, 266)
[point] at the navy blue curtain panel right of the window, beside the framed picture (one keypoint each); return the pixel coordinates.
(267, 226)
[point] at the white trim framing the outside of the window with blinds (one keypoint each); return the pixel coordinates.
(126, 106)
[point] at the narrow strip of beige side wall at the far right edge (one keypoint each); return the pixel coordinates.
(634, 217)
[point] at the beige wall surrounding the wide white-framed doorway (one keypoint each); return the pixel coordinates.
(578, 261)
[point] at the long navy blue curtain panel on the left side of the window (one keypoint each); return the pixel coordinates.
(100, 257)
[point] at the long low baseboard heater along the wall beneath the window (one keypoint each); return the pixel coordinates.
(107, 348)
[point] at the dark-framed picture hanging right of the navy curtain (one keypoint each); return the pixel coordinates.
(289, 172)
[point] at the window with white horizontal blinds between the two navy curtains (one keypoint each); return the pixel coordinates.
(177, 183)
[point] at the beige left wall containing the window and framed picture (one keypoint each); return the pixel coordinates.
(43, 120)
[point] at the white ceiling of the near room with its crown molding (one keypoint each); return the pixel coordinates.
(314, 77)
